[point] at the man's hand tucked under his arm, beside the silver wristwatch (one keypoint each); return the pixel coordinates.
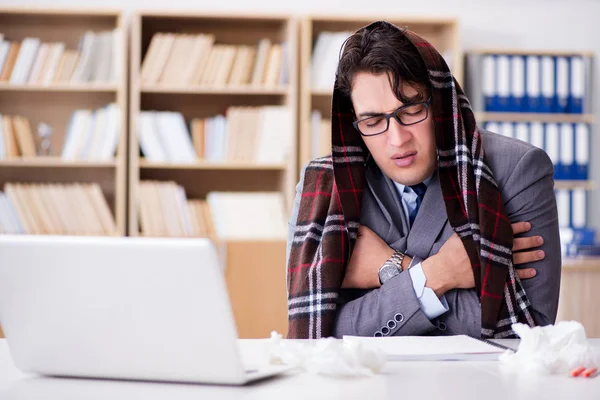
(369, 254)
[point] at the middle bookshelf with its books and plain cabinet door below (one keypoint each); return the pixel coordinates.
(193, 94)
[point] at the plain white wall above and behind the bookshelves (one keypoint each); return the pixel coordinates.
(532, 24)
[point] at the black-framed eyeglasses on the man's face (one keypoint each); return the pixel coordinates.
(409, 114)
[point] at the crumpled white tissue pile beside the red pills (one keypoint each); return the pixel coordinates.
(552, 349)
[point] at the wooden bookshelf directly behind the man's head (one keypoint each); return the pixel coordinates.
(441, 32)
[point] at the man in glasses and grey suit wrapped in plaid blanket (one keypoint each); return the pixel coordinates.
(406, 228)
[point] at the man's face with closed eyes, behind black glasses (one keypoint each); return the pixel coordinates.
(406, 154)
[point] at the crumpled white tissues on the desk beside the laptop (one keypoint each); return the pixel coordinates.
(331, 357)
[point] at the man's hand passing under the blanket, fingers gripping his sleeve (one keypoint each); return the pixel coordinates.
(451, 267)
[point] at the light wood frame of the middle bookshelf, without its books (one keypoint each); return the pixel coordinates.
(196, 99)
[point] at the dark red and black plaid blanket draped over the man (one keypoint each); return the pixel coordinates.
(329, 213)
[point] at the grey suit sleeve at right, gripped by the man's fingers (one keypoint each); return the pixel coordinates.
(528, 195)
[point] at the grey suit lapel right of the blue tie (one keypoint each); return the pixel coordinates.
(429, 221)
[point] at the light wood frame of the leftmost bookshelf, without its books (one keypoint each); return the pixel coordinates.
(53, 104)
